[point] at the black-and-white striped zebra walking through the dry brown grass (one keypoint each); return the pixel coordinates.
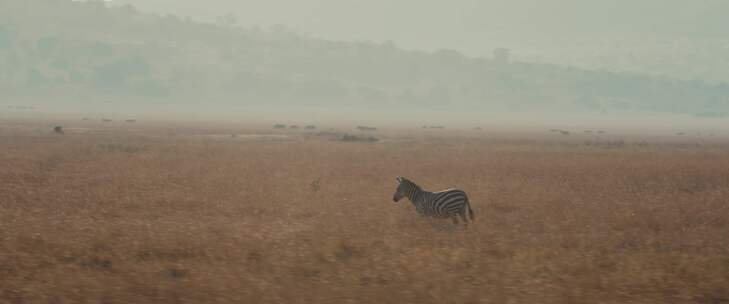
(449, 203)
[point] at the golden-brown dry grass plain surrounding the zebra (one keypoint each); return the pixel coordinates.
(187, 213)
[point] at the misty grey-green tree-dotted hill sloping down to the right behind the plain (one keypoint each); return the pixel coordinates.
(61, 50)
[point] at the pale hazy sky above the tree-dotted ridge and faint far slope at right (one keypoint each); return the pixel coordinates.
(473, 26)
